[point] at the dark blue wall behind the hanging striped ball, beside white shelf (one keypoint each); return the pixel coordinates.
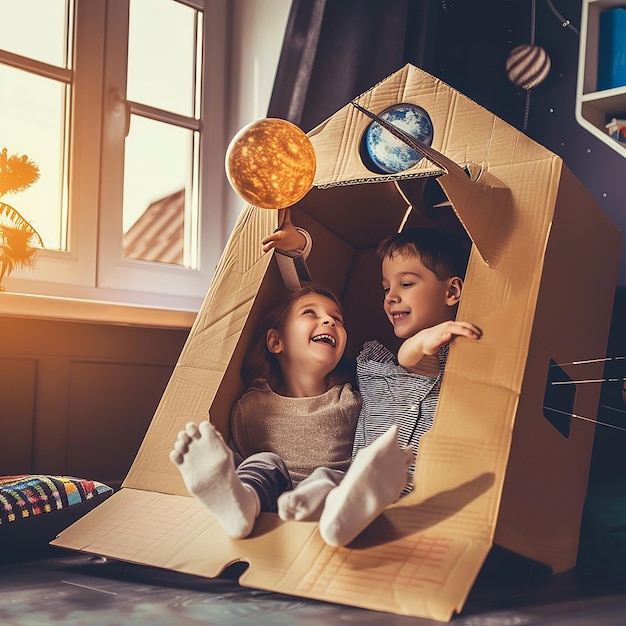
(469, 43)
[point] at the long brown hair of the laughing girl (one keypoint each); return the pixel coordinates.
(261, 364)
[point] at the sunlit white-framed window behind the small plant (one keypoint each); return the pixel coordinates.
(120, 104)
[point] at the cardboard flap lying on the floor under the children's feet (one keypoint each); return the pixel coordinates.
(411, 568)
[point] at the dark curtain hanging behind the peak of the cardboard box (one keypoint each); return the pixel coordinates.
(335, 50)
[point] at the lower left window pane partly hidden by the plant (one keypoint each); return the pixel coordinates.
(32, 113)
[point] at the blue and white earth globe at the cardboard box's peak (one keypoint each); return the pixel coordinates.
(386, 153)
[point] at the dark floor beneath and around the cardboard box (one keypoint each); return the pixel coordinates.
(70, 588)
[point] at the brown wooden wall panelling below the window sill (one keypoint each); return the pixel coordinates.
(77, 398)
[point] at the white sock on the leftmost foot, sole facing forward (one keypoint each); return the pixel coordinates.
(206, 465)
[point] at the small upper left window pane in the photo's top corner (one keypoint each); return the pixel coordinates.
(36, 29)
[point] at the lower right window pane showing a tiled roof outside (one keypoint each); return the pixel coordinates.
(158, 197)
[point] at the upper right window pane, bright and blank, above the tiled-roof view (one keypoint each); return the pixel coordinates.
(161, 55)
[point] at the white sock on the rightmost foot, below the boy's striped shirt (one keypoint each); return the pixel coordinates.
(373, 482)
